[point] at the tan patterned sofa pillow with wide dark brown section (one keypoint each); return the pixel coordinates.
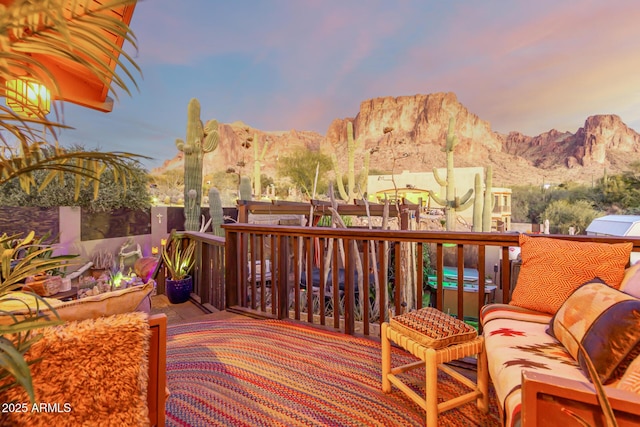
(604, 320)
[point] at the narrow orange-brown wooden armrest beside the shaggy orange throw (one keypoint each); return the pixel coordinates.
(157, 389)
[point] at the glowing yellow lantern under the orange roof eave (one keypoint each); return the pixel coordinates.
(27, 97)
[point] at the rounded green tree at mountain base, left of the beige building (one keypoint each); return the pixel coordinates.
(300, 168)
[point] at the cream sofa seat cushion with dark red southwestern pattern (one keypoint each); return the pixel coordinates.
(516, 340)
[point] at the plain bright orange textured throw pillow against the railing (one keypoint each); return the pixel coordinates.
(553, 268)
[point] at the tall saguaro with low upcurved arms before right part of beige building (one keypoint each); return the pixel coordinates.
(451, 203)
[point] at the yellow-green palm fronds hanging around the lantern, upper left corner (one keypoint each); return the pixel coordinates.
(34, 29)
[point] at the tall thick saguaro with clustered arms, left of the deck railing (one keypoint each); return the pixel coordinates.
(200, 140)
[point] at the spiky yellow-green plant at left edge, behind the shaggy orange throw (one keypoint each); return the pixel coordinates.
(19, 259)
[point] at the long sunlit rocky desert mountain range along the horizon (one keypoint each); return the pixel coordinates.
(420, 124)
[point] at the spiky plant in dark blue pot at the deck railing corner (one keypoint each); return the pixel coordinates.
(178, 260)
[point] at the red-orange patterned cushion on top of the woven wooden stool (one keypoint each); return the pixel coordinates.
(433, 328)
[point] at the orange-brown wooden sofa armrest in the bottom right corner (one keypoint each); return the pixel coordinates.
(548, 400)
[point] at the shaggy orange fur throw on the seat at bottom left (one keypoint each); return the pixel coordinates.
(94, 372)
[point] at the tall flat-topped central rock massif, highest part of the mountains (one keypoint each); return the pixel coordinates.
(420, 124)
